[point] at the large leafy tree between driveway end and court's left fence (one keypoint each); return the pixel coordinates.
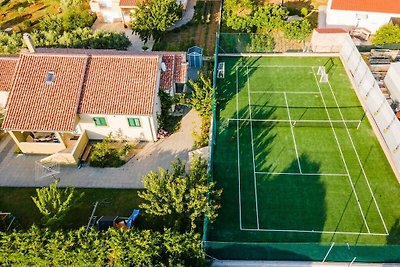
(180, 198)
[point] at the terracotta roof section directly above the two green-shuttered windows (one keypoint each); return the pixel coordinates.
(120, 85)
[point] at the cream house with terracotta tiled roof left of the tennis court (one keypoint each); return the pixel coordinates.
(59, 97)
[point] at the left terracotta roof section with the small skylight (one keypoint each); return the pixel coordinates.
(35, 105)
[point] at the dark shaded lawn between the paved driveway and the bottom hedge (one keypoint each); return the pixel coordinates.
(112, 202)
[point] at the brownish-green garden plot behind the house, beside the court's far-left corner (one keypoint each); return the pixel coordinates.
(200, 31)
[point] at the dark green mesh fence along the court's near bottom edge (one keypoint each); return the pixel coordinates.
(302, 252)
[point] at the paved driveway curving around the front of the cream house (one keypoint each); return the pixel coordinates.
(19, 170)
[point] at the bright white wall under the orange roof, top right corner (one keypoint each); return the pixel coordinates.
(372, 22)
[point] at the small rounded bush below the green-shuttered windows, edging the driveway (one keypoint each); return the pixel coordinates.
(103, 155)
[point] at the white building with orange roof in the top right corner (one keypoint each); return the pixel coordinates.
(368, 14)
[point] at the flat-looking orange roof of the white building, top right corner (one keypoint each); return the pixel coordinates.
(381, 6)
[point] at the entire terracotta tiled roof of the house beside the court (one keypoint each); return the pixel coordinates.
(87, 82)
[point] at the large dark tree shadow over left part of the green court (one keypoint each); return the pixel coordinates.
(285, 202)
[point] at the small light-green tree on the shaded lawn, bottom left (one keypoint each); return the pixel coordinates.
(54, 203)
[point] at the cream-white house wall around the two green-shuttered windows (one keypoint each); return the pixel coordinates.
(118, 125)
